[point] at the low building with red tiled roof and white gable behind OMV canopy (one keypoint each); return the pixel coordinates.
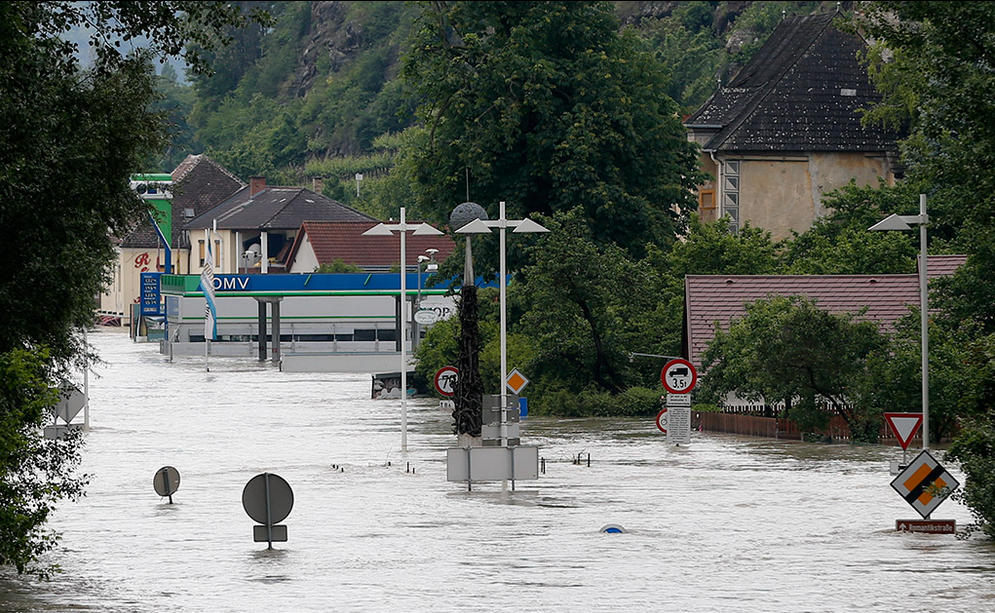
(325, 242)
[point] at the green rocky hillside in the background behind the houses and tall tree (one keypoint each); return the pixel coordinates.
(319, 93)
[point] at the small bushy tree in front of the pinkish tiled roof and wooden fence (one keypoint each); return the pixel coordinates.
(789, 350)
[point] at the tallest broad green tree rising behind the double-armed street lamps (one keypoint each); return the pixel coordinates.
(545, 105)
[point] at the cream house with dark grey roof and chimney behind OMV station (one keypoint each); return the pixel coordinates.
(257, 226)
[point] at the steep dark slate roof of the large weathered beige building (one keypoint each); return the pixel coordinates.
(801, 92)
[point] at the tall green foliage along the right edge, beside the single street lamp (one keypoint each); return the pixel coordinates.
(933, 65)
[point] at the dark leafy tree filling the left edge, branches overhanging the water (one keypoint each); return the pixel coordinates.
(72, 138)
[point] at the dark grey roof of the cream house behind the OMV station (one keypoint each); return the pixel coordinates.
(275, 208)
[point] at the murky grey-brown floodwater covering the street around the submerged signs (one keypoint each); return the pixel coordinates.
(726, 524)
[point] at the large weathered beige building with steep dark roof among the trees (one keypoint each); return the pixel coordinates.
(787, 129)
